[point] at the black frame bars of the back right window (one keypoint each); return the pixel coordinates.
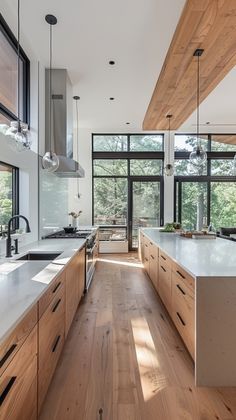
(208, 178)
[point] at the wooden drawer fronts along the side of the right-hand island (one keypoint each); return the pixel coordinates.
(176, 289)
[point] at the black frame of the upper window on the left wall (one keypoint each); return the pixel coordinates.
(10, 37)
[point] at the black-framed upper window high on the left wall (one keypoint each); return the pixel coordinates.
(9, 77)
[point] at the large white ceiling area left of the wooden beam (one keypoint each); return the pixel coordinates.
(134, 33)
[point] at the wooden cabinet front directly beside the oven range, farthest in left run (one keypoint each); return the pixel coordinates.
(75, 283)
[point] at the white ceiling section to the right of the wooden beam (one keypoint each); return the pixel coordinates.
(219, 108)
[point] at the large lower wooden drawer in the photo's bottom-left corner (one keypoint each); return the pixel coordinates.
(18, 383)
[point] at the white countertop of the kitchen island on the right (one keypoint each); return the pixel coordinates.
(201, 258)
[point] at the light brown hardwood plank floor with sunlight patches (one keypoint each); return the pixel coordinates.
(124, 356)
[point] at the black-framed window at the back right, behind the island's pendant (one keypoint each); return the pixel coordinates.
(207, 196)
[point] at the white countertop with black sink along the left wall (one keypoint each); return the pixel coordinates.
(23, 282)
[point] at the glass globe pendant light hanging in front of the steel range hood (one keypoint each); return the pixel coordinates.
(50, 161)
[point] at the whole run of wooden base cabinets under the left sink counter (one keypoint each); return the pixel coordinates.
(29, 355)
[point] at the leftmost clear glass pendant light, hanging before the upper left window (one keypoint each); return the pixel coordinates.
(18, 131)
